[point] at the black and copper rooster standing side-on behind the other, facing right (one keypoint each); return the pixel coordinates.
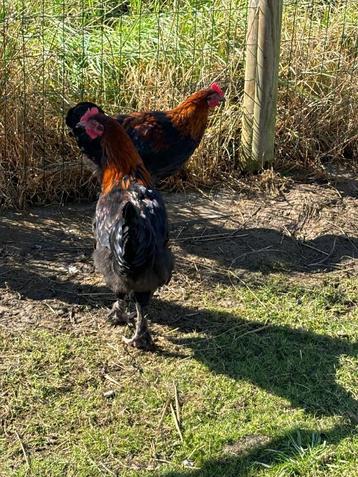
(165, 140)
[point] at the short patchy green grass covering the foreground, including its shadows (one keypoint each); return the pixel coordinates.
(266, 378)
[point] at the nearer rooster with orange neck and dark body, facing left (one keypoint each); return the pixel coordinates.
(131, 228)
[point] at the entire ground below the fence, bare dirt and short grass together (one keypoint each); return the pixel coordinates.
(254, 369)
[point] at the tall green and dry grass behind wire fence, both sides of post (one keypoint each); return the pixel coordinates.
(142, 55)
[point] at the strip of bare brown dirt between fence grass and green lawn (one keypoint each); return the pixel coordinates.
(47, 277)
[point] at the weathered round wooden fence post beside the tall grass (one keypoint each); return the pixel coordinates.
(261, 79)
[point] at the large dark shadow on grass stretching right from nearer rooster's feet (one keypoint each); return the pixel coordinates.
(296, 364)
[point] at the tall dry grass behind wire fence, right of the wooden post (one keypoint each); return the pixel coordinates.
(317, 113)
